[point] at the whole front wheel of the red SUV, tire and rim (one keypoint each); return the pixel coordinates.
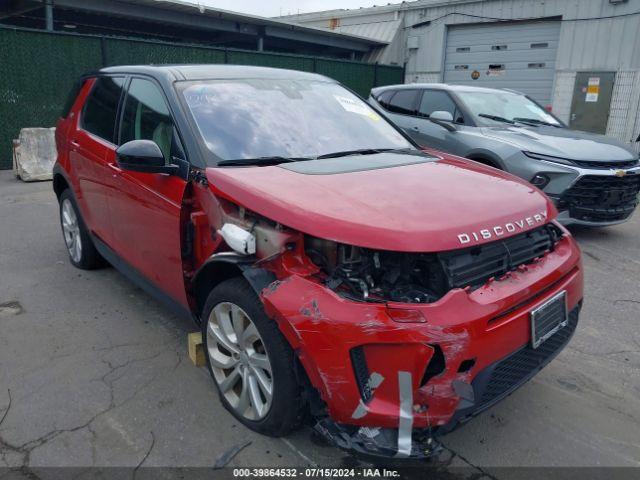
(239, 369)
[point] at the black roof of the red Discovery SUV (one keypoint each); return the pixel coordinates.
(213, 71)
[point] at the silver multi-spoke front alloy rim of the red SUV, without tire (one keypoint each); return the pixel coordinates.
(239, 361)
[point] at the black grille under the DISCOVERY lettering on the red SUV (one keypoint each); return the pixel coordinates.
(473, 267)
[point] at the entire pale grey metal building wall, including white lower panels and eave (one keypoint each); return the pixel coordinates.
(598, 44)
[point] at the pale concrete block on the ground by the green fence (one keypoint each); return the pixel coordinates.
(34, 154)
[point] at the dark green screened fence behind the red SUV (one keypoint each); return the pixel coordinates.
(37, 70)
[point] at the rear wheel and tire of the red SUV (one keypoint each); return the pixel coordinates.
(80, 247)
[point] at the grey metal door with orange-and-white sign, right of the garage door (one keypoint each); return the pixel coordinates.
(591, 101)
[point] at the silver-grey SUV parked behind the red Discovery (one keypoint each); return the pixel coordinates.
(593, 179)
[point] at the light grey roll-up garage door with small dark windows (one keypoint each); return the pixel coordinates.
(518, 55)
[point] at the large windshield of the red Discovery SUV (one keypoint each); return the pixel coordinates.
(256, 118)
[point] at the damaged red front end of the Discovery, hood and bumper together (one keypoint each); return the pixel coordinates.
(445, 349)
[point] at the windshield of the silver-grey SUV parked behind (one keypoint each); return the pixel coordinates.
(504, 106)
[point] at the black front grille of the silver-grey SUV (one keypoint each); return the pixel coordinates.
(602, 198)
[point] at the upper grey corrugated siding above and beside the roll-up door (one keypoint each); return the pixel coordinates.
(584, 45)
